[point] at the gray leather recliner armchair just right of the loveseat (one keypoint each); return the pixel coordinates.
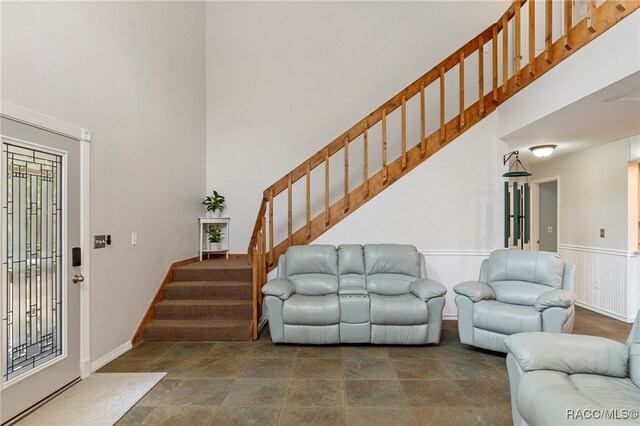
(518, 291)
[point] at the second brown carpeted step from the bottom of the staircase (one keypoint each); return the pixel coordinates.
(204, 309)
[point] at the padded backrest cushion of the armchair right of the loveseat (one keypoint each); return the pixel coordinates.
(538, 267)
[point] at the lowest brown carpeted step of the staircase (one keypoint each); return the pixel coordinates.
(197, 330)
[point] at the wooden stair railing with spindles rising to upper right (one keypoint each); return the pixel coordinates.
(264, 248)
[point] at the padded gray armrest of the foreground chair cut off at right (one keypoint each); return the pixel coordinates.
(569, 353)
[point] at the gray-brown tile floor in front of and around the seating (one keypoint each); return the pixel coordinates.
(259, 383)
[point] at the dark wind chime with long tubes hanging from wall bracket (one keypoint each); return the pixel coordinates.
(516, 193)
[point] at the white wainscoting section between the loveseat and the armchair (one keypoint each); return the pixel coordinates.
(452, 267)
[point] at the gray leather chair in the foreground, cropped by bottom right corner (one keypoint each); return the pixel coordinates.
(575, 380)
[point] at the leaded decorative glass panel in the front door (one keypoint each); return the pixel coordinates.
(33, 296)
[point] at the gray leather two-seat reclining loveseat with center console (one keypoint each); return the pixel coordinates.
(378, 293)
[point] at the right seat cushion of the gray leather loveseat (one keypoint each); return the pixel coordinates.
(404, 309)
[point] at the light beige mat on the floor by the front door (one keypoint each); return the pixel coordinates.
(100, 399)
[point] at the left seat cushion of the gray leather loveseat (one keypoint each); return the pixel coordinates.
(311, 310)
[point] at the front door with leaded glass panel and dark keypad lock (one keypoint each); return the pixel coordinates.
(40, 193)
